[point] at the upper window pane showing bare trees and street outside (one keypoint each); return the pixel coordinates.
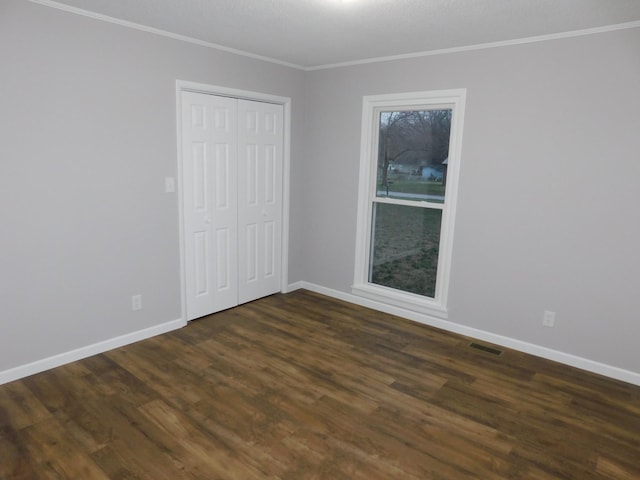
(413, 154)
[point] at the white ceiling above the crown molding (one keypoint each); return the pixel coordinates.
(313, 33)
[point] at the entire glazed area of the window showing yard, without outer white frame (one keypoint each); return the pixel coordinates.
(413, 153)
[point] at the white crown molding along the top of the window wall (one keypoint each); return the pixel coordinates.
(481, 46)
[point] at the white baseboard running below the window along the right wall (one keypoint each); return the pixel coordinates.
(526, 347)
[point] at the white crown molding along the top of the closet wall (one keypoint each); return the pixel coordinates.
(163, 33)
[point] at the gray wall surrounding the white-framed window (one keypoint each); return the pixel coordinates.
(548, 213)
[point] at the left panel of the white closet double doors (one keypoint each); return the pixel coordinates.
(209, 146)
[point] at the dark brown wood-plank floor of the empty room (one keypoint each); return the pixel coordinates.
(301, 386)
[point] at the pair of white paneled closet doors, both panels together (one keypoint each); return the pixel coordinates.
(232, 200)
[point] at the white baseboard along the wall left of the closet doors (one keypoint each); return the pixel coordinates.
(38, 366)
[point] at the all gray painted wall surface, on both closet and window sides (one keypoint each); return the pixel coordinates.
(547, 215)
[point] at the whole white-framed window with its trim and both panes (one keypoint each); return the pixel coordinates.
(408, 184)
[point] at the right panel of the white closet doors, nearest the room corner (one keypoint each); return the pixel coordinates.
(260, 163)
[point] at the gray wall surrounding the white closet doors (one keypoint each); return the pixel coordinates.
(87, 136)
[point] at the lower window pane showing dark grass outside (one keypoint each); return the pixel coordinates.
(404, 248)
